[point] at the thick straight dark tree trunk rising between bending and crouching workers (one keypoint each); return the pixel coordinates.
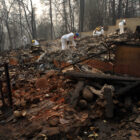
(81, 17)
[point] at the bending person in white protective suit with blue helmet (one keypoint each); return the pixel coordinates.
(68, 37)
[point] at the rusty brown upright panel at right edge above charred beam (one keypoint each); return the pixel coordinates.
(128, 60)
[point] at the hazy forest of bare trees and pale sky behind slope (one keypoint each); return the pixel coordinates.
(50, 19)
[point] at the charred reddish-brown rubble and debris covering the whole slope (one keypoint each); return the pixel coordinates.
(71, 94)
